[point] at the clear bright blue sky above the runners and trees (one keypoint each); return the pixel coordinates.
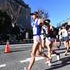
(58, 10)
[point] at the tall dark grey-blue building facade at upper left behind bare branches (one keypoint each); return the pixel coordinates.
(18, 11)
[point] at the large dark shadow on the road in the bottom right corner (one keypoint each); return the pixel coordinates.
(64, 62)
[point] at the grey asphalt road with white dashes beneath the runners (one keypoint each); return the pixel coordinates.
(19, 57)
